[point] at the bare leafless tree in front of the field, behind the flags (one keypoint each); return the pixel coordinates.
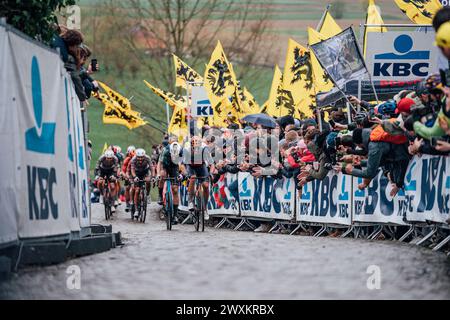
(152, 30)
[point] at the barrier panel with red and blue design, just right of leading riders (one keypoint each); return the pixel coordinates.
(221, 200)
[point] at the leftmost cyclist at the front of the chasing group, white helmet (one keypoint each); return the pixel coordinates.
(108, 168)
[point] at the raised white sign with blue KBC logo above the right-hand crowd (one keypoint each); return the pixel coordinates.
(401, 55)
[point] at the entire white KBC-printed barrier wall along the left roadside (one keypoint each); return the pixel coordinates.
(44, 177)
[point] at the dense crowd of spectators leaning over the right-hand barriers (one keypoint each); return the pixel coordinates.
(377, 136)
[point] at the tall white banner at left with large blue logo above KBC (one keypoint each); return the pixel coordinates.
(39, 97)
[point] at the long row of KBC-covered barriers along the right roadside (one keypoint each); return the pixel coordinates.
(336, 201)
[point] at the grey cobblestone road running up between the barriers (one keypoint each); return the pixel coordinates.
(222, 264)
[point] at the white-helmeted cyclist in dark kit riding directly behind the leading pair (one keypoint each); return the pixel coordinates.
(140, 168)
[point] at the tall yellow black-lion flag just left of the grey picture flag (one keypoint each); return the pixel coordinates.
(298, 80)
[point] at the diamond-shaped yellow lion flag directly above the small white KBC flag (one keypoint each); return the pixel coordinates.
(220, 80)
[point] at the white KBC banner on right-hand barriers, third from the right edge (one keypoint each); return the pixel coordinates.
(326, 201)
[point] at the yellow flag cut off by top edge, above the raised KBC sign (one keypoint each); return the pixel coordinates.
(419, 11)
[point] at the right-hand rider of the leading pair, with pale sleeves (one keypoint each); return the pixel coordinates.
(197, 158)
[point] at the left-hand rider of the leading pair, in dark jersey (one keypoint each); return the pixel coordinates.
(170, 163)
